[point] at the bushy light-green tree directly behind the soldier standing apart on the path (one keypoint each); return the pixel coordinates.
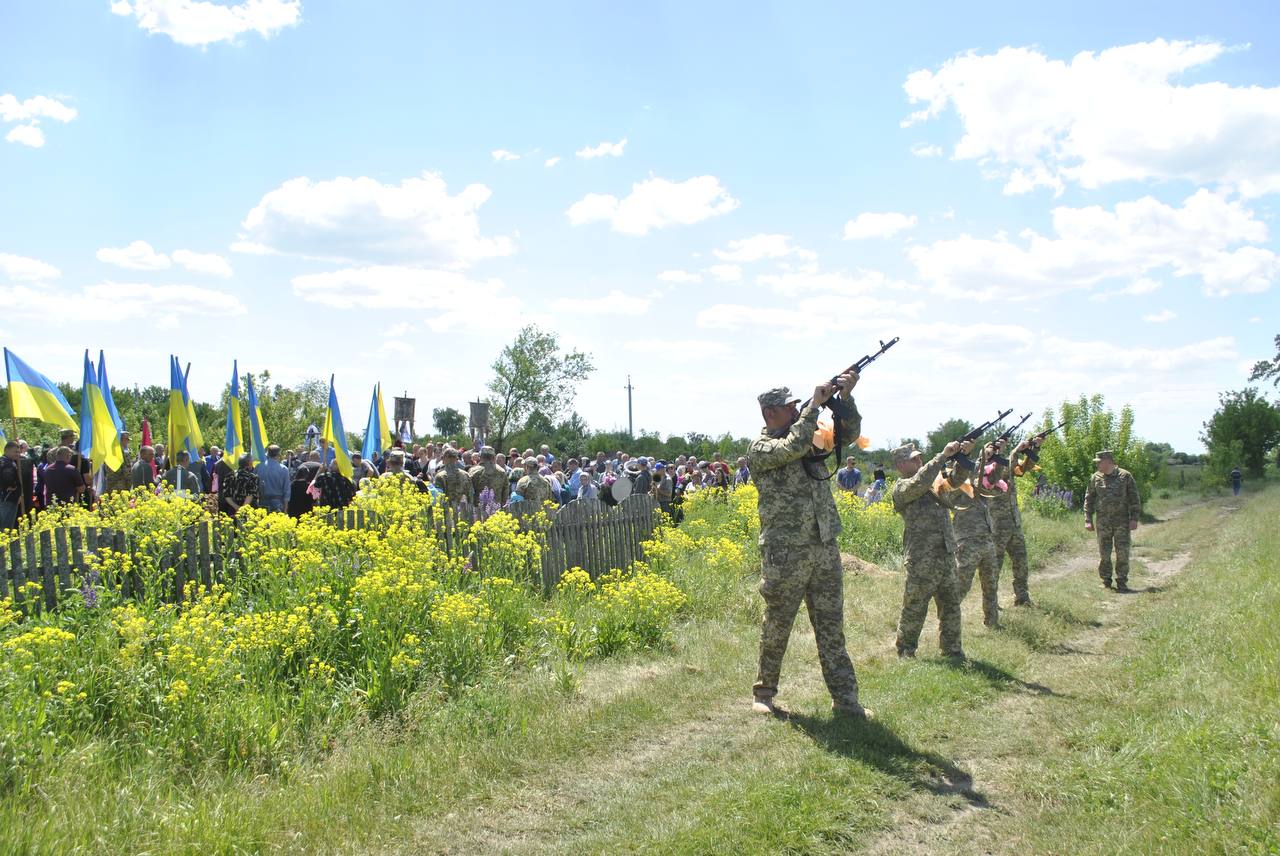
(1067, 457)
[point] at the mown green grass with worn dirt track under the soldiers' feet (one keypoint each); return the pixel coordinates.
(1092, 724)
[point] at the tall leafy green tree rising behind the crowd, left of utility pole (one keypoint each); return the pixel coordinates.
(533, 374)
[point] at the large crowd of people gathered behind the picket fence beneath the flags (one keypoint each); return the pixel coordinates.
(295, 482)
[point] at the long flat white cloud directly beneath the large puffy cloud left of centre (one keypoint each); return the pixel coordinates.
(381, 287)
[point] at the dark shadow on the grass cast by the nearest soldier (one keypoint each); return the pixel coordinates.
(876, 745)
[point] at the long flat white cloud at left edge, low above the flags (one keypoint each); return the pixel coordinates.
(113, 301)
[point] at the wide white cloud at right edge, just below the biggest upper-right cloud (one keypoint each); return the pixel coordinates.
(1091, 246)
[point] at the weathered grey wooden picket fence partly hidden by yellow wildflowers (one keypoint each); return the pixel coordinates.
(584, 534)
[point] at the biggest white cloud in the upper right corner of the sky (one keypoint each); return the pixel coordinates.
(1105, 117)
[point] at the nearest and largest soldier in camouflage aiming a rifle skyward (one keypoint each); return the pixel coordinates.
(799, 525)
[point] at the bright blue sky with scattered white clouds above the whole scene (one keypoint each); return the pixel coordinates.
(1085, 203)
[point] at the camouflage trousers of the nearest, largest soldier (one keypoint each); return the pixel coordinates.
(810, 574)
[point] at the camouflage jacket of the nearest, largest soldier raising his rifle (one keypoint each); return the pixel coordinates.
(794, 507)
